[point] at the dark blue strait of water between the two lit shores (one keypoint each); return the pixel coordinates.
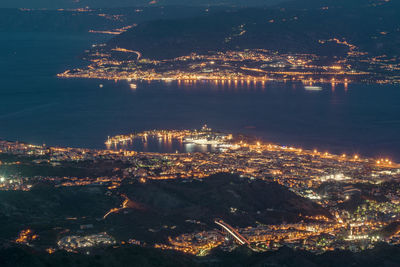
(37, 107)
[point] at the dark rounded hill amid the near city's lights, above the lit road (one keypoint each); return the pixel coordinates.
(218, 195)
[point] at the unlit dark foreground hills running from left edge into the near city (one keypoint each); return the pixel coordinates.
(155, 210)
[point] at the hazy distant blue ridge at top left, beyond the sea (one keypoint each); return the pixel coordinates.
(16, 20)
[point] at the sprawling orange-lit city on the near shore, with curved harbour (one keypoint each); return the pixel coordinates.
(333, 182)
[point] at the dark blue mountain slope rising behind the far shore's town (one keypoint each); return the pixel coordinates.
(299, 26)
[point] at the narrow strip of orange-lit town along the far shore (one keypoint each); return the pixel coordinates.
(237, 68)
